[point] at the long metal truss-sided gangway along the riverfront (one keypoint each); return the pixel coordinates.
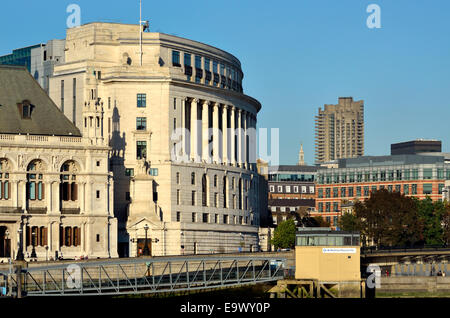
(138, 276)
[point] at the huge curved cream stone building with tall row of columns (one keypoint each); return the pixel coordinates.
(180, 128)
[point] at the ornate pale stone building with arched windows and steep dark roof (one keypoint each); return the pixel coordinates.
(56, 193)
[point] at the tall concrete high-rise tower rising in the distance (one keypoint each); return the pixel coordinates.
(340, 130)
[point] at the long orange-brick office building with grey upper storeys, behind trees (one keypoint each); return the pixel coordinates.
(355, 178)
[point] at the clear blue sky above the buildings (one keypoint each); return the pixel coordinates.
(296, 56)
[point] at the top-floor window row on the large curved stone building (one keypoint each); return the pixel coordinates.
(208, 71)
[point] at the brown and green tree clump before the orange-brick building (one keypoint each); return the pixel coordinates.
(390, 218)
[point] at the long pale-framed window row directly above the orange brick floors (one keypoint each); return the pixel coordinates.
(387, 175)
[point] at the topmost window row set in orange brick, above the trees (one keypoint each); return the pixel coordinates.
(364, 191)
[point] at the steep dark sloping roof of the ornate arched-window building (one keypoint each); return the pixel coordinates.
(16, 86)
